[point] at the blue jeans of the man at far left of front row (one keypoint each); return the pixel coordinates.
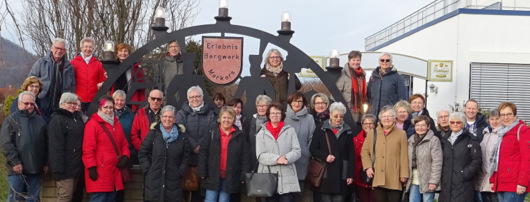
(18, 183)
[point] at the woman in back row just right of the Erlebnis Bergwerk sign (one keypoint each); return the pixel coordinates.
(278, 77)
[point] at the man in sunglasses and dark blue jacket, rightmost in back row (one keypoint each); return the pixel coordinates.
(386, 86)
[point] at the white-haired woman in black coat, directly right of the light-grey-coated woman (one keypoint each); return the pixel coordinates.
(338, 174)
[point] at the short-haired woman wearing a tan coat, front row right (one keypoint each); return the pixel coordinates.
(391, 168)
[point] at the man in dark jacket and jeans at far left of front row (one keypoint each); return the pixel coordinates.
(23, 138)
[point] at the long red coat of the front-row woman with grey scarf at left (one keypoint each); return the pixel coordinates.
(98, 151)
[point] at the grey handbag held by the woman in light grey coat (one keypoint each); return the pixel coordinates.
(261, 184)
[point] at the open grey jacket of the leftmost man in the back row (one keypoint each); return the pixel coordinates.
(44, 69)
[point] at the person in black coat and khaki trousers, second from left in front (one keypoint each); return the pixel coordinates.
(65, 141)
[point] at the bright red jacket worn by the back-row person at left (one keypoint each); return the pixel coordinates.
(87, 76)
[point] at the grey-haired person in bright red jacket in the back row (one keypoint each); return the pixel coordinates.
(89, 73)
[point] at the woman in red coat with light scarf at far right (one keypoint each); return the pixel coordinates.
(510, 162)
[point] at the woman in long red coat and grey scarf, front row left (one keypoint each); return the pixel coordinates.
(102, 167)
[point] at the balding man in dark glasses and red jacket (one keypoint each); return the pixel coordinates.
(146, 117)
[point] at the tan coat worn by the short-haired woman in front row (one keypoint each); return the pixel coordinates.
(391, 158)
